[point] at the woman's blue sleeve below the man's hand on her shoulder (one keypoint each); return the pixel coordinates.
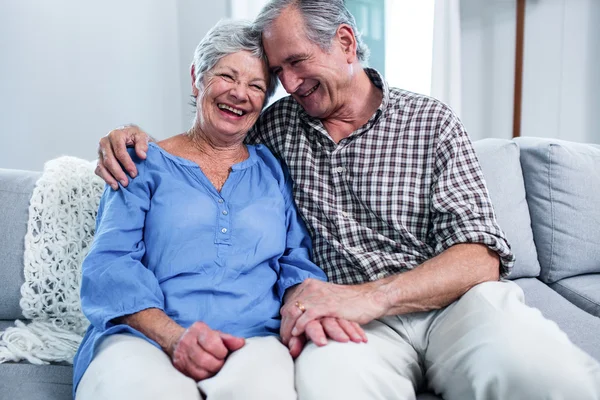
(115, 282)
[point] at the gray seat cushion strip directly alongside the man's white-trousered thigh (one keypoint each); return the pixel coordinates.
(581, 327)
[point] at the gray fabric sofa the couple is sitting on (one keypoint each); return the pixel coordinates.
(546, 197)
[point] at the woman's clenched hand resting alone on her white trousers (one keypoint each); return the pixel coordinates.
(200, 352)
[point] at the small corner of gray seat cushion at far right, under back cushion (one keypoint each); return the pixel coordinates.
(582, 290)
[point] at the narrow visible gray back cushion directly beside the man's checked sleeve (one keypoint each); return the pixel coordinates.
(501, 167)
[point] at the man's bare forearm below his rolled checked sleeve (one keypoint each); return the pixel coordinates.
(438, 281)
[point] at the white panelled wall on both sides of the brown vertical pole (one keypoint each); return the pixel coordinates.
(561, 80)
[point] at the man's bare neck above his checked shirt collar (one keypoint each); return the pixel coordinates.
(363, 99)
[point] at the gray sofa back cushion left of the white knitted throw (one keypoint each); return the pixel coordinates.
(16, 188)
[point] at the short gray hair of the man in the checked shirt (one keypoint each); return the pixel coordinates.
(321, 19)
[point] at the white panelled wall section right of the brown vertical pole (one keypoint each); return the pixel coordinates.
(561, 92)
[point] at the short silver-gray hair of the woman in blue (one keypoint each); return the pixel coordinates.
(228, 37)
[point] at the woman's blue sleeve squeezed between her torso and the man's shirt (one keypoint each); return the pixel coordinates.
(295, 264)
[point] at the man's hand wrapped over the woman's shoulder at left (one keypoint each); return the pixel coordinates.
(112, 150)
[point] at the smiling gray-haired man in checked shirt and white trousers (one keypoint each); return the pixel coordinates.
(396, 204)
